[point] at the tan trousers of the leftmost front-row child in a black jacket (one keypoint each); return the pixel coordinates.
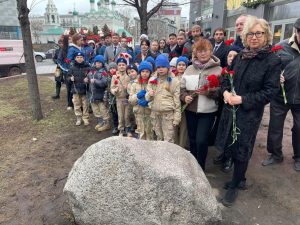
(81, 101)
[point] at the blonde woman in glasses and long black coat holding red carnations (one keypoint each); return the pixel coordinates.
(247, 87)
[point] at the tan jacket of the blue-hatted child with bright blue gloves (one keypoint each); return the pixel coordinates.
(133, 100)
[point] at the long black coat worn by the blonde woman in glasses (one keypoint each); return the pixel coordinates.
(256, 80)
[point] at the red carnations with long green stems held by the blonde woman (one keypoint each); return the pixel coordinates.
(235, 130)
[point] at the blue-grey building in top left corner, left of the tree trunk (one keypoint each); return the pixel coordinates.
(9, 23)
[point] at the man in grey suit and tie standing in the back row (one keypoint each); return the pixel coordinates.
(112, 52)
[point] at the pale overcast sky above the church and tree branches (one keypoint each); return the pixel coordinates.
(65, 6)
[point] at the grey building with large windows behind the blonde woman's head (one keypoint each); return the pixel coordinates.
(281, 15)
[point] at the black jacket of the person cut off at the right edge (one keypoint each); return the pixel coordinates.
(290, 63)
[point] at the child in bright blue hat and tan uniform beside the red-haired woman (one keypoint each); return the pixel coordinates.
(163, 95)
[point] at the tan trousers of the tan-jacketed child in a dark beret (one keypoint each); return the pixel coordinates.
(123, 109)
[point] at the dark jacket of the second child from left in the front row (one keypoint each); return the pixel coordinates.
(97, 89)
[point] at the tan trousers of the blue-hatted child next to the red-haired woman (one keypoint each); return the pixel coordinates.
(163, 125)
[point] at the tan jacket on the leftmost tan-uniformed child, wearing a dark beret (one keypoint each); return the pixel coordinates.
(119, 85)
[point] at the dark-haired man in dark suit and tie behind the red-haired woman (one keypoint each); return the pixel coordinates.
(220, 50)
